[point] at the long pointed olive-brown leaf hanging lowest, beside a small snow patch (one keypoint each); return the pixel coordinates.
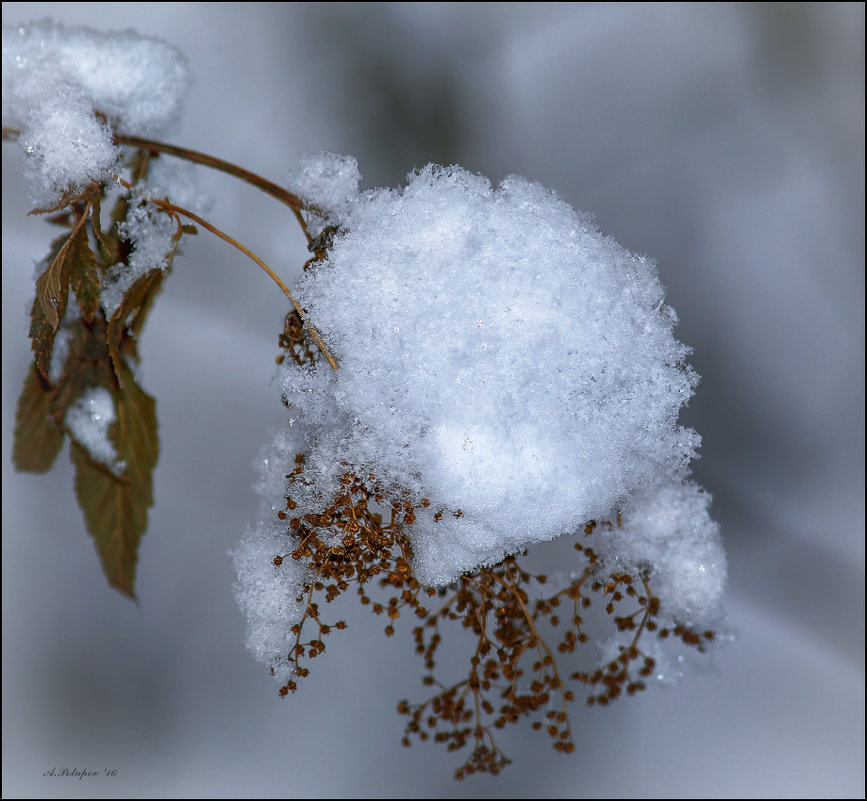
(116, 507)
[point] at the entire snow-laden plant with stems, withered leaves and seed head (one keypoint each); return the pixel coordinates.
(509, 376)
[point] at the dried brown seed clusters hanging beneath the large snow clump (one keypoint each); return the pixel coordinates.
(513, 671)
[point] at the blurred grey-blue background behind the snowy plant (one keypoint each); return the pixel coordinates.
(727, 141)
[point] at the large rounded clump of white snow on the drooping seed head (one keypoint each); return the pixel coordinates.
(503, 359)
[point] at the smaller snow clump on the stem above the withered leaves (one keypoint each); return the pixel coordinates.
(55, 79)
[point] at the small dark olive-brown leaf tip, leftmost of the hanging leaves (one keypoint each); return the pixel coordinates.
(38, 438)
